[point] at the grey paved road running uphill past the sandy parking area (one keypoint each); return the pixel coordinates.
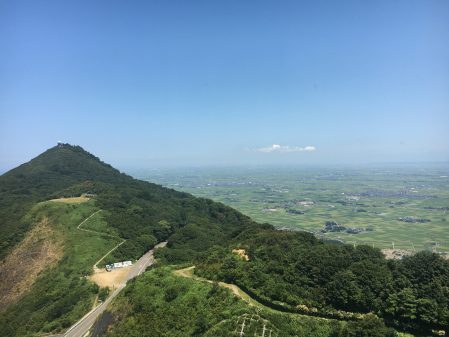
(80, 328)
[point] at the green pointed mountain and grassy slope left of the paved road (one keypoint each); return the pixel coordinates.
(139, 212)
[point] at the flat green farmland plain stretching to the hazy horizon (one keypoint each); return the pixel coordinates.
(401, 207)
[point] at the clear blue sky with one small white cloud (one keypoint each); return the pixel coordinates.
(173, 83)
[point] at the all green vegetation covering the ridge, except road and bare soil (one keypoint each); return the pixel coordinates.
(308, 287)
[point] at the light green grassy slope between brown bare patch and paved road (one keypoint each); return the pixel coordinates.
(60, 294)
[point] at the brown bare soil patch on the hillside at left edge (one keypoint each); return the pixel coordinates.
(39, 250)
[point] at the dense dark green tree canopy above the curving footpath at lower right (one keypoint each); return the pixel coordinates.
(302, 273)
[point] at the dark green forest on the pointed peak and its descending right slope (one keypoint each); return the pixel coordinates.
(140, 211)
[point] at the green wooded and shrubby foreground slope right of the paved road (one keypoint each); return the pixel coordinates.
(306, 287)
